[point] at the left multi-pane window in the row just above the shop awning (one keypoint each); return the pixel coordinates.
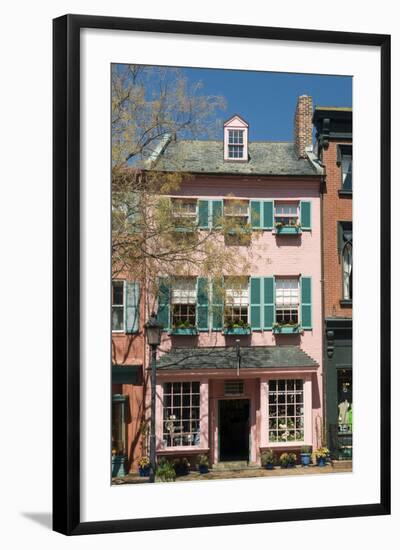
(183, 302)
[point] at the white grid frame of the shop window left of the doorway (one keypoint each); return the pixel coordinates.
(171, 422)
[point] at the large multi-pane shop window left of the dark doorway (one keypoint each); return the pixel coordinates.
(181, 414)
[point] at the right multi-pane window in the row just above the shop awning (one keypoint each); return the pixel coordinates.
(287, 301)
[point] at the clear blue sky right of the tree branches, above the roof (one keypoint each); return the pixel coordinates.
(267, 101)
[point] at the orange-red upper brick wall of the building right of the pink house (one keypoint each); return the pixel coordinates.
(335, 208)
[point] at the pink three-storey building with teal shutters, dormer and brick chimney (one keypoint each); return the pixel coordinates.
(244, 372)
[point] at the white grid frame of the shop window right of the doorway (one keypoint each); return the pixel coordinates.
(285, 417)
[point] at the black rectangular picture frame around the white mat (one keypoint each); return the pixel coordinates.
(66, 273)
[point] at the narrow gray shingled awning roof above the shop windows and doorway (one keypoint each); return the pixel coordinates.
(254, 357)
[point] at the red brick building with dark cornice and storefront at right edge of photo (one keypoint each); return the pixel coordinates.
(334, 148)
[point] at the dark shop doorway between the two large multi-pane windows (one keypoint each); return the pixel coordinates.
(234, 429)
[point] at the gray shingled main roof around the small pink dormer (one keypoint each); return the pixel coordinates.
(265, 158)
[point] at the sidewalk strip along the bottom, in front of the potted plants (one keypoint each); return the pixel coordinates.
(242, 474)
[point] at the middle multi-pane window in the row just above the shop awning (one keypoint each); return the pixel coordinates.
(236, 301)
